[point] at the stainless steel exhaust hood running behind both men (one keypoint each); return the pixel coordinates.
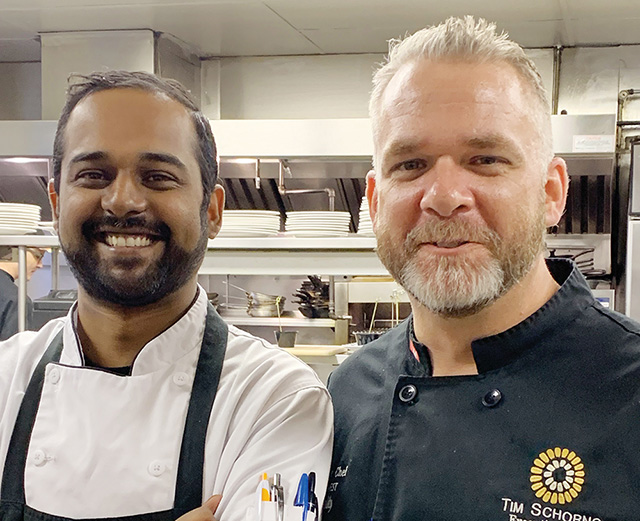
(336, 154)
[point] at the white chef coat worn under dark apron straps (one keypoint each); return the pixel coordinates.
(104, 445)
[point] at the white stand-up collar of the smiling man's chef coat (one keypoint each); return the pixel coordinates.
(181, 339)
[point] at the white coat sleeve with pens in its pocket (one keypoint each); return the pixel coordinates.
(292, 436)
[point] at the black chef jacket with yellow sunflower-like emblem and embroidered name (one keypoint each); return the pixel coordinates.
(548, 430)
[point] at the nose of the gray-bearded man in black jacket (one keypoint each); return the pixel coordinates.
(447, 191)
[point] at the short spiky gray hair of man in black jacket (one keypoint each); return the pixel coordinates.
(463, 39)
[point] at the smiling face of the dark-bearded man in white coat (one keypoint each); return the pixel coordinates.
(129, 210)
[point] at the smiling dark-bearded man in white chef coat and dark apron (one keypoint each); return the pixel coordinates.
(142, 403)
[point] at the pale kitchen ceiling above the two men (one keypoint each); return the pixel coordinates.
(281, 27)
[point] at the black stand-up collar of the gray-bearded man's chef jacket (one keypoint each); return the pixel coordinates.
(565, 306)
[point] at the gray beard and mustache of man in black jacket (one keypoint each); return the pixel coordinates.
(464, 285)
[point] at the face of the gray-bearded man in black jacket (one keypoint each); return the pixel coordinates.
(460, 199)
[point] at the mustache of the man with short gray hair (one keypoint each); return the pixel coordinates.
(450, 230)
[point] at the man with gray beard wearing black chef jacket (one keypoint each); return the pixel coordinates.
(510, 393)
